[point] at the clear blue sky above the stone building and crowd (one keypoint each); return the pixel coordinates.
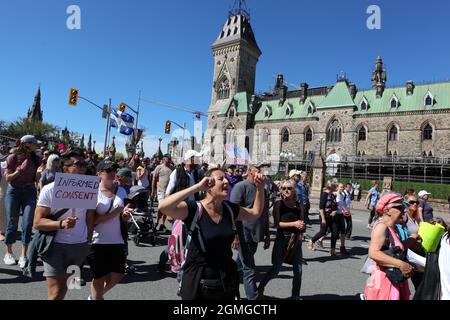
(163, 48)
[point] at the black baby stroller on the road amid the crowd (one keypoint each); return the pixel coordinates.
(142, 224)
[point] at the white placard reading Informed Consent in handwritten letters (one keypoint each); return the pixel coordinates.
(75, 191)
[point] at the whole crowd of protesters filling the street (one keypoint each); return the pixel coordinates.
(222, 208)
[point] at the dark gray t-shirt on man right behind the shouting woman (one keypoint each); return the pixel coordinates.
(244, 194)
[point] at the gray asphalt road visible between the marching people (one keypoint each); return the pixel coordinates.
(324, 277)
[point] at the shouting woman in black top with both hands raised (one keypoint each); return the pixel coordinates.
(209, 272)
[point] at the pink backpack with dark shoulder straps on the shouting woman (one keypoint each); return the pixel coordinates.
(179, 240)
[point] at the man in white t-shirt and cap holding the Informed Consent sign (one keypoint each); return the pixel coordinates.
(73, 231)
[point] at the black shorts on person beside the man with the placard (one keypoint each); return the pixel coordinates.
(107, 258)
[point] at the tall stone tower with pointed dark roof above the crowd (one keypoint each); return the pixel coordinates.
(236, 54)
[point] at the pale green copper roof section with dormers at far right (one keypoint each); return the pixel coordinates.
(414, 102)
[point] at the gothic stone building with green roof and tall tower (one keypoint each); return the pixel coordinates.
(410, 121)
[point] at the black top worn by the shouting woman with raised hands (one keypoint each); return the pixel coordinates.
(217, 238)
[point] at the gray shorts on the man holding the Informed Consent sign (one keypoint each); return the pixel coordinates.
(61, 256)
